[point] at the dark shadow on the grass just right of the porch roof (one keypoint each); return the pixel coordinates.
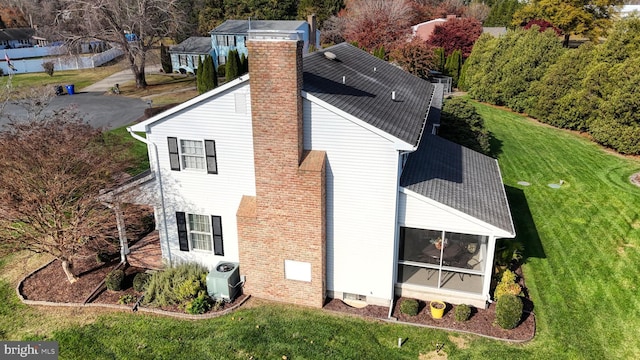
(526, 232)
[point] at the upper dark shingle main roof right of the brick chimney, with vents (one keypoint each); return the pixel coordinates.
(367, 88)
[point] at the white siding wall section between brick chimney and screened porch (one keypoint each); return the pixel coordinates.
(361, 202)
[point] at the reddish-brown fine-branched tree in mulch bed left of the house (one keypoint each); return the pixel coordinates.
(52, 169)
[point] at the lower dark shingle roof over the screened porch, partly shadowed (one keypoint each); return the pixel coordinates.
(459, 178)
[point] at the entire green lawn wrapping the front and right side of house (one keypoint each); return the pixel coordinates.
(581, 247)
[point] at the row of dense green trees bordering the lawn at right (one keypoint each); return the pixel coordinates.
(589, 89)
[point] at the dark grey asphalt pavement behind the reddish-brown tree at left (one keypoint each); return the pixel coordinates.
(96, 108)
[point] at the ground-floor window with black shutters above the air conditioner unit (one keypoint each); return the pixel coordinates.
(200, 232)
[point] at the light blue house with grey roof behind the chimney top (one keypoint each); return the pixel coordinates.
(232, 34)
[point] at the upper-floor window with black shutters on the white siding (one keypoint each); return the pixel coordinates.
(193, 155)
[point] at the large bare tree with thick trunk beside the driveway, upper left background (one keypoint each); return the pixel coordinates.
(135, 26)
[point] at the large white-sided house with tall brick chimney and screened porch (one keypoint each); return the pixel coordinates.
(320, 175)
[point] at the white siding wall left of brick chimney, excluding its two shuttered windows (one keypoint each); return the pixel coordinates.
(197, 192)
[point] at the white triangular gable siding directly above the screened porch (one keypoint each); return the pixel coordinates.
(414, 211)
